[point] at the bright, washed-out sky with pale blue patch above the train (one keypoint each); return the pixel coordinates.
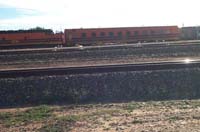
(63, 14)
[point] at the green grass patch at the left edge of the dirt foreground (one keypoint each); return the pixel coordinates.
(19, 118)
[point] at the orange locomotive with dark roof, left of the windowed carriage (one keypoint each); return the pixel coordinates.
(30, 37)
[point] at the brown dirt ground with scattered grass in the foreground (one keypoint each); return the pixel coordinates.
(154, 116)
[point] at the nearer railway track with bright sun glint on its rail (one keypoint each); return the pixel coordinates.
(150, 66)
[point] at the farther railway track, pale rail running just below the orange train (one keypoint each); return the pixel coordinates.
(103, 47)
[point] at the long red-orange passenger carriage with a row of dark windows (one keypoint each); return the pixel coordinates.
(121, 35)
